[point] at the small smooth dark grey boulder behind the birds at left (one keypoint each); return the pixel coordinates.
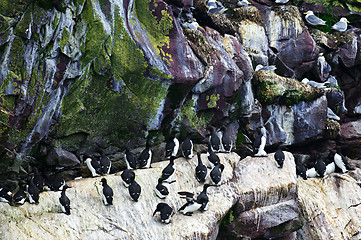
(61, 158)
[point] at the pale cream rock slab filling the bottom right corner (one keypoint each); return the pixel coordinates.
(331, 207)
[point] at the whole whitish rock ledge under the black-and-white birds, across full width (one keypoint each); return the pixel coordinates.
(255, 199)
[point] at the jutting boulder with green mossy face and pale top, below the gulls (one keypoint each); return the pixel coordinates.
(271, 88)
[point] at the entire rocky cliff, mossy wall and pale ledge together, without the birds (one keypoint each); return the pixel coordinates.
(81, 77)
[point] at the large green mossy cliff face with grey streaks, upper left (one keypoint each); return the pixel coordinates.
(73, 69)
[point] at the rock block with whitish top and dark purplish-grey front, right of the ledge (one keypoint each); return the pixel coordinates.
(268, 196)
